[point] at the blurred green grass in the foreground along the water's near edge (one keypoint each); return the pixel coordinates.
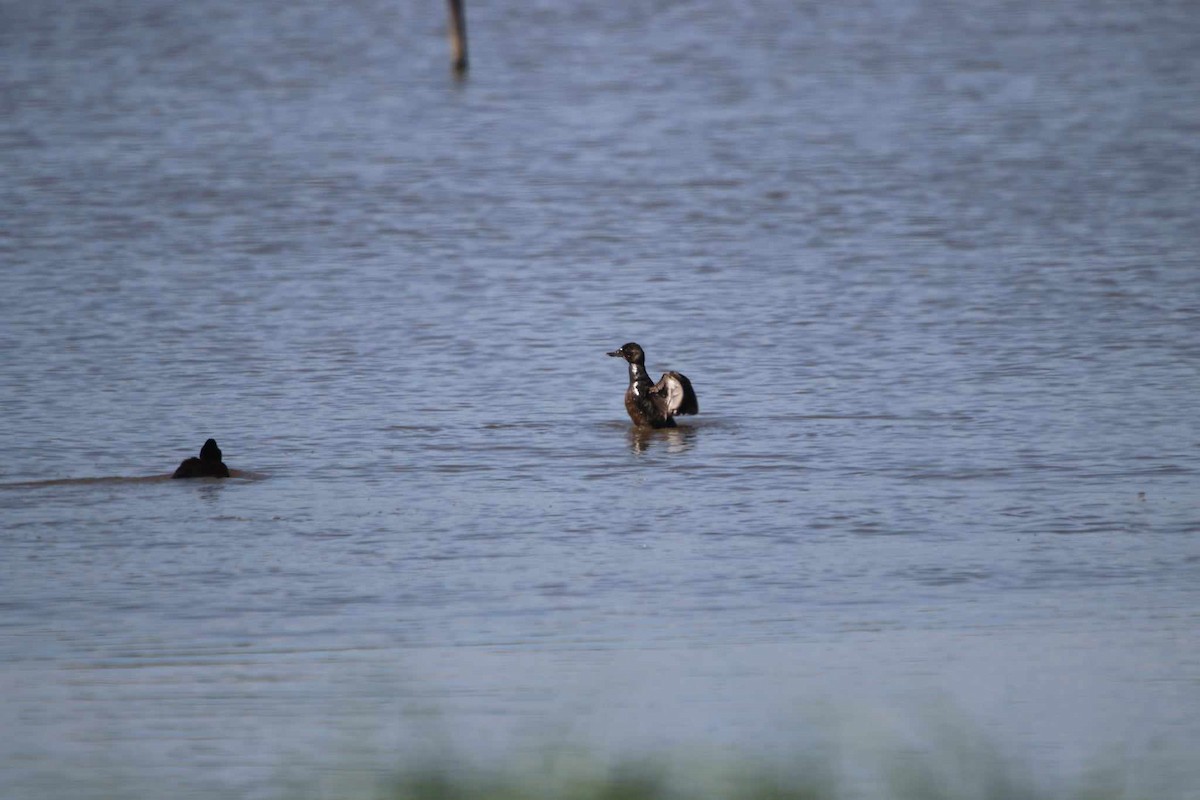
(945, 760)
